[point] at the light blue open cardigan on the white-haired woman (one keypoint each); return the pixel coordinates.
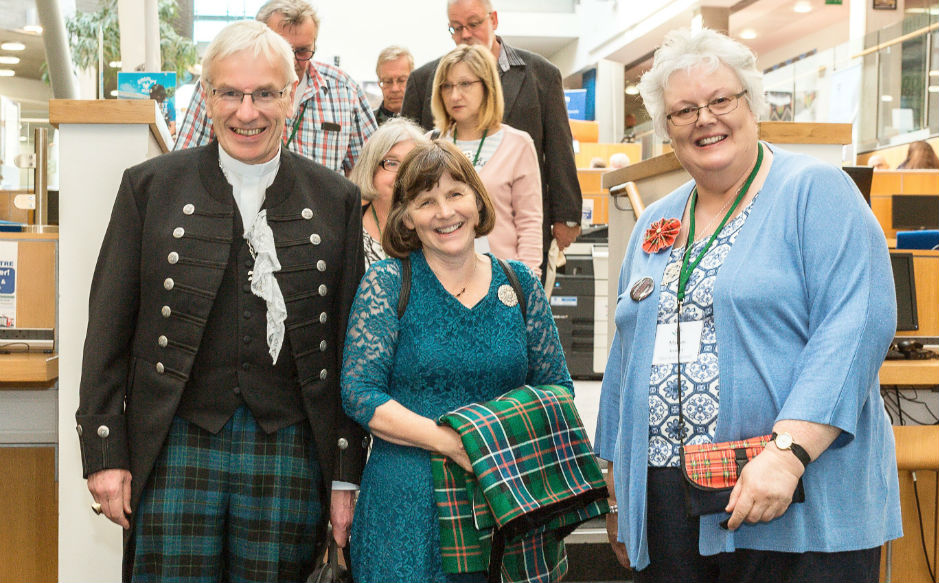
(804, 310)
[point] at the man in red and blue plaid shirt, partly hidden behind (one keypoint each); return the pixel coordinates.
(331, 120)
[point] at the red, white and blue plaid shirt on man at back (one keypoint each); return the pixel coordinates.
(336, 119)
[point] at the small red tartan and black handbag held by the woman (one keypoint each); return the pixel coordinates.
(710, 471)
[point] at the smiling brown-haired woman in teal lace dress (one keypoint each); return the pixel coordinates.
(462, 338)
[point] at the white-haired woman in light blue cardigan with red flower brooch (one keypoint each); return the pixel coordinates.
(785, 322)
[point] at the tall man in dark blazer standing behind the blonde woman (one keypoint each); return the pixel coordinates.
(534, 103)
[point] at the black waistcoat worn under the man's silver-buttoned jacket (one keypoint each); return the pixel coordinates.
(233, 366)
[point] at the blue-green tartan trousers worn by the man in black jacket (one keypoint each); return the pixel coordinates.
(239, 506)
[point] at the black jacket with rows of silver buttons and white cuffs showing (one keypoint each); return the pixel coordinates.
(161, 263)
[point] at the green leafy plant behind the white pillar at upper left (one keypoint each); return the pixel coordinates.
(178, 53)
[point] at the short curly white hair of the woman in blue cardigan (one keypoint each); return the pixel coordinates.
(684, 49)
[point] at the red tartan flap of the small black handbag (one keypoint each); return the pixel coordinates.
(714, 466)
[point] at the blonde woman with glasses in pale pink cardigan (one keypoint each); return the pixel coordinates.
(467, 105)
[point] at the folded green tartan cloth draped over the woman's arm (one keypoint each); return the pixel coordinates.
(535, 480)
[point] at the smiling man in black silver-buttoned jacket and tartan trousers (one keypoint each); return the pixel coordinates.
(209, 414)
